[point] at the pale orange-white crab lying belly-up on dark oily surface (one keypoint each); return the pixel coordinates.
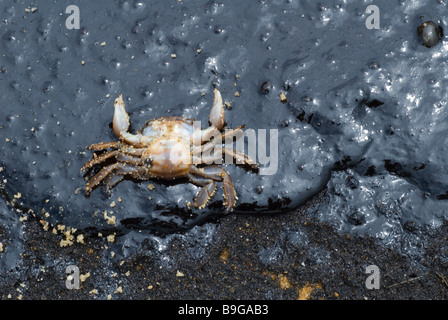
(169, 148)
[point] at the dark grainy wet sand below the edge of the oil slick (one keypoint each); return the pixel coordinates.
(230, 267)
